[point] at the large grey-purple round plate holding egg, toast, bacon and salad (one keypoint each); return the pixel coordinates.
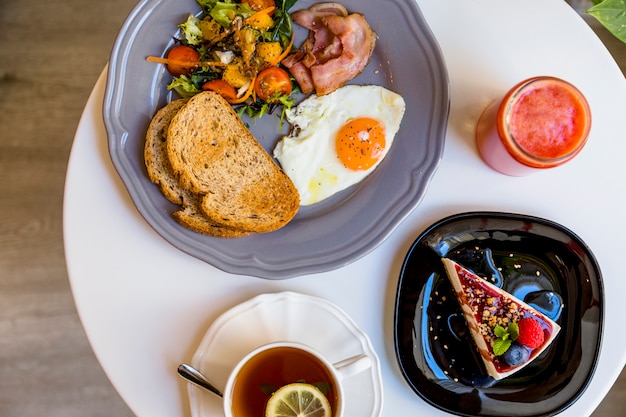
(326, 235)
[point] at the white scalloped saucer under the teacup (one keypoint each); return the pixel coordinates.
(286, 316)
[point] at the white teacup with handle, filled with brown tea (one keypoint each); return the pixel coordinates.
(271, 366)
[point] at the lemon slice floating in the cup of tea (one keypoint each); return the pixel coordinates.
(298, 400)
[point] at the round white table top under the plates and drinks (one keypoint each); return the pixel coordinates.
(146, 306)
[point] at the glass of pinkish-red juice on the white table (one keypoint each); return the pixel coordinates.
(542, 122)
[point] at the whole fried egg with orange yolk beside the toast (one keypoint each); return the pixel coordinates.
(338, 139)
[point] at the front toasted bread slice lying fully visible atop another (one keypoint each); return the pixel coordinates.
(213, 154)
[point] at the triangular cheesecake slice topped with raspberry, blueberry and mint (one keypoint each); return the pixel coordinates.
(508, 333)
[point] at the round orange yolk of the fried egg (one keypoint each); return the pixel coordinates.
(360, 143)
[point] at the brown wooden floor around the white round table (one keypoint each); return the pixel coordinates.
(51, 53)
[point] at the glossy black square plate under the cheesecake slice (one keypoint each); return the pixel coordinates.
(539, 260)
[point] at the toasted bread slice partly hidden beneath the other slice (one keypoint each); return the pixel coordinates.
(160, 173)
